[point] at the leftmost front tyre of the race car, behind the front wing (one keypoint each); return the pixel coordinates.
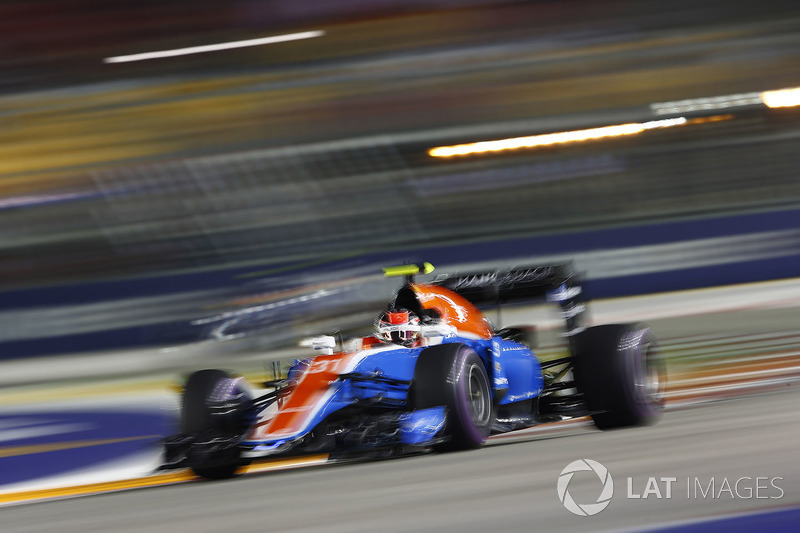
(201, 387)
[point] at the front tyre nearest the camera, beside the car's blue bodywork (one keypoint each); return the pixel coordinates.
(454, 376)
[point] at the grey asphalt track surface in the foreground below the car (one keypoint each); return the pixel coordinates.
(510, 485)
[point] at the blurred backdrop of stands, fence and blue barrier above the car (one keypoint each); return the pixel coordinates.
(139, 194)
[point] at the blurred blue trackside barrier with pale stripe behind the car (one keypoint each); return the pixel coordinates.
(274, 309)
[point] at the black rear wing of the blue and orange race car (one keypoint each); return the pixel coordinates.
(552, 283)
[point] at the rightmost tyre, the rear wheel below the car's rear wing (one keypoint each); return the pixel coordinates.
(621, 373)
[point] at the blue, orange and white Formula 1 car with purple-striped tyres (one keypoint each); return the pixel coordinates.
(435, 376)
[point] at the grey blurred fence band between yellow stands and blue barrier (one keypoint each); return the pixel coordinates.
(372, 195)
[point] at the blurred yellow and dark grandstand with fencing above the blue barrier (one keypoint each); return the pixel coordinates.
(318, 149)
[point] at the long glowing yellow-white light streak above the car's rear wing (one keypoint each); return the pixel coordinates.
(548, 139)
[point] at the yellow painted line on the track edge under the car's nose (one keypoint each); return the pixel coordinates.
(150, 481)
